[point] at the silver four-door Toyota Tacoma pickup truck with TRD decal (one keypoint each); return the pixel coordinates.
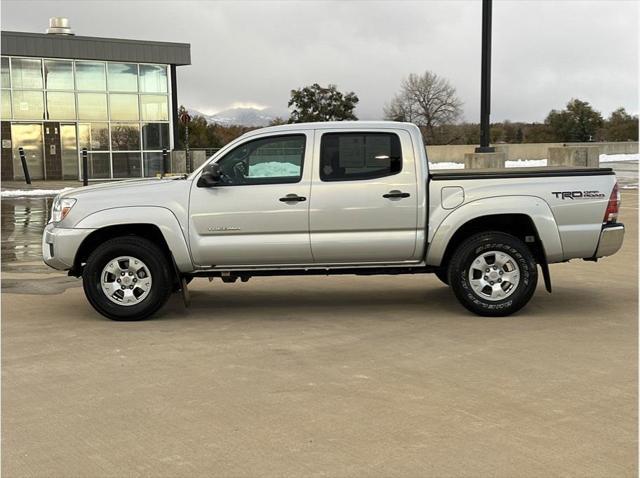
(331, 198)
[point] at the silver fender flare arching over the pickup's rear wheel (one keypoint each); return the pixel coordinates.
(532, 206)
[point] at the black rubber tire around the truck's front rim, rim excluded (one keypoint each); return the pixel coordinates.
(141, 249)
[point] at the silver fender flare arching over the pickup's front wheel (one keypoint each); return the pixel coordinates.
(161, 217)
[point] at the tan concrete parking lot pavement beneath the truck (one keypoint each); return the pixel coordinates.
(338, 376)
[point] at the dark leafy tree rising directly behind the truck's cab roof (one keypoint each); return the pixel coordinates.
(315, 103)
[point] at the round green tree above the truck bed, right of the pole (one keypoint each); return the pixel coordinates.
(577, 122)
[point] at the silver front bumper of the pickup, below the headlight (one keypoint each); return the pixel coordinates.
(60, 245)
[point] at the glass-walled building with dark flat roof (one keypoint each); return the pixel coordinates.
(62, 93)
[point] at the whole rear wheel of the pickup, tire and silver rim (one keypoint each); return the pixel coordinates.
(505, 286)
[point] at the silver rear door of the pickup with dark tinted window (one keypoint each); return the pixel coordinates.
(364, 201)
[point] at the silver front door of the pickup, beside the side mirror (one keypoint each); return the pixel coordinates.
(259, 213)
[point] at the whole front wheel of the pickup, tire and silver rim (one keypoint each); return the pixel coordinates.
(110, 268)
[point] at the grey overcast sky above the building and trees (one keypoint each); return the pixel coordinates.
(254, 53)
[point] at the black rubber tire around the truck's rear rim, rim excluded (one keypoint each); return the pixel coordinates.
(470, 250)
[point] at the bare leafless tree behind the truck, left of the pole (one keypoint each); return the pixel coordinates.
(427, 100)
